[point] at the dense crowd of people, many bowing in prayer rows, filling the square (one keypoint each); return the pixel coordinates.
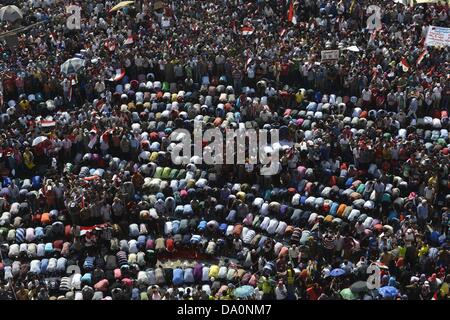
(93, 207)
